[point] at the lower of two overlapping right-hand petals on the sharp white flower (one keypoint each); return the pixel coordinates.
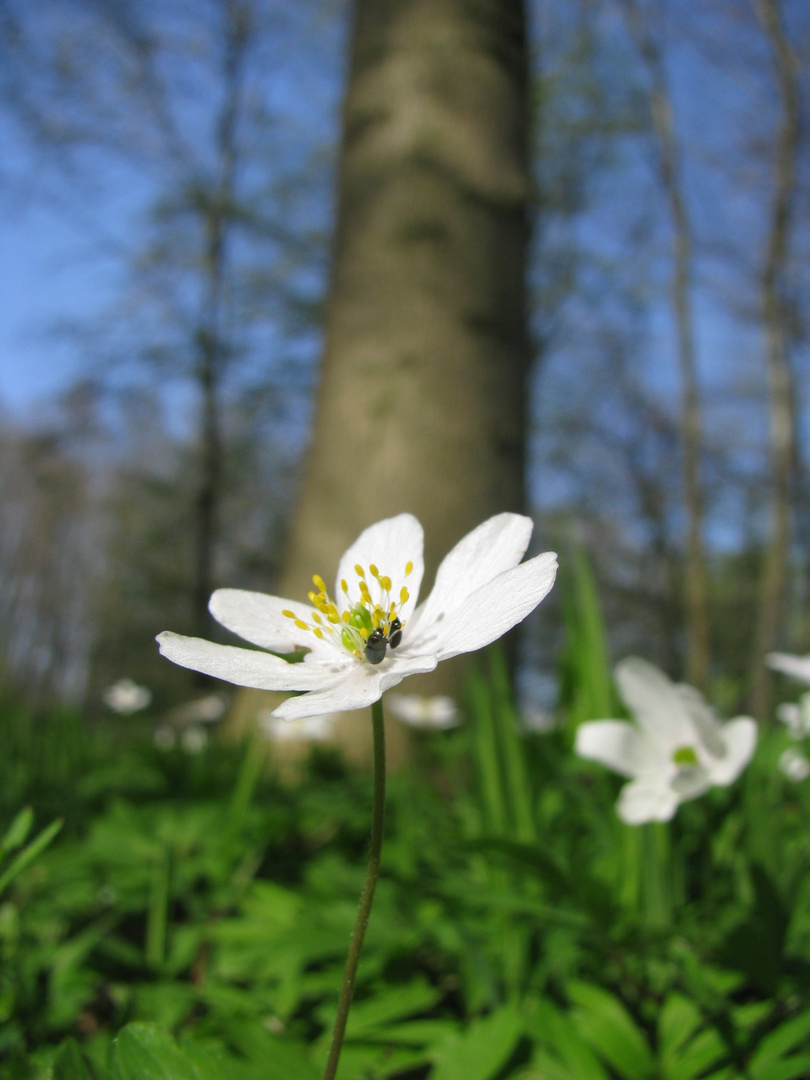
(489, 613)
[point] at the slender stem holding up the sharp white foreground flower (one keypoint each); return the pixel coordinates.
(379, 815)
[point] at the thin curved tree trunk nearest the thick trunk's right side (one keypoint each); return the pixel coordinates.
(696, 591)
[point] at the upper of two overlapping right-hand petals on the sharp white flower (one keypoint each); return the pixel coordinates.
(496, 546)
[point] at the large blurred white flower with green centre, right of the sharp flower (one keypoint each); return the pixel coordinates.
(676, 751)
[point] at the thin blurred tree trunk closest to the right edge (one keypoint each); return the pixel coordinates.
(780, 381)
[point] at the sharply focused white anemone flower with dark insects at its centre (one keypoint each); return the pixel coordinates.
(373, 636)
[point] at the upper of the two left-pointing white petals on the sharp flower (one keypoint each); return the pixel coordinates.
(259, 618)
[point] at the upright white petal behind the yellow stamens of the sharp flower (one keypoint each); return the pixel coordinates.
(390, 546)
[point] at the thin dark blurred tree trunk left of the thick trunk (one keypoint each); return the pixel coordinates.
(211, 346)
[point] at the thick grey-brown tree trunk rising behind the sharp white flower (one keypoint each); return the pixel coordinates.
(423, 398)
